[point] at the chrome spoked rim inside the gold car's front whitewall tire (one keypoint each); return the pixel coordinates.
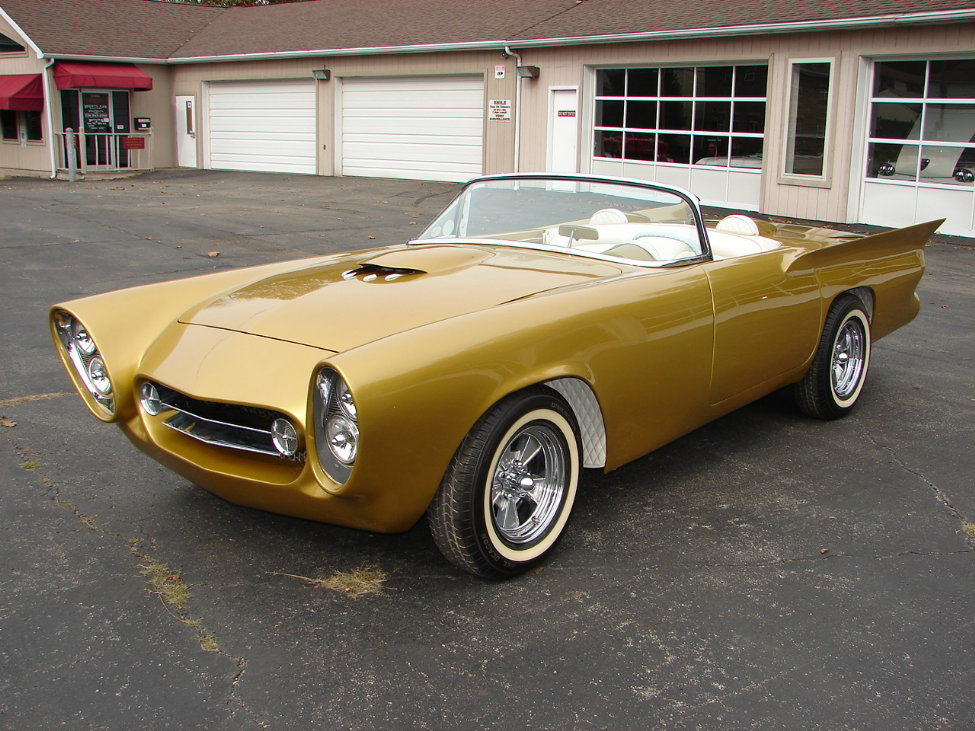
(528, 483)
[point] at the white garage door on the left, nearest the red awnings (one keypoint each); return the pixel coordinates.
(264, 126)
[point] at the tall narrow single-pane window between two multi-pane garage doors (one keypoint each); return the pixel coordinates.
(808, 117)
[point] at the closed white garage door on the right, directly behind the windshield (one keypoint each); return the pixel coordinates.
(423, 128)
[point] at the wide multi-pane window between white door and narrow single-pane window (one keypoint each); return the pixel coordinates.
(703, 115)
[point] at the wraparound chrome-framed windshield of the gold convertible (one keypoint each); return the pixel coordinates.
(616, 220)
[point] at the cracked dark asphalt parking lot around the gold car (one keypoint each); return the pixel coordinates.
(765, 571)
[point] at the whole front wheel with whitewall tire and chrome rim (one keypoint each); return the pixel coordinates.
(507, 495)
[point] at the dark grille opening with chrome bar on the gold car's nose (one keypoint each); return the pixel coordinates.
(235, 426)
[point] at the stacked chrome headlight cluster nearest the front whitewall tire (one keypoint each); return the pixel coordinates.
(336, 425)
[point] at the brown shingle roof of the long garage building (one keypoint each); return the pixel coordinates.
(170, 30)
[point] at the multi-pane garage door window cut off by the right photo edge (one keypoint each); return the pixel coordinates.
(922, 122)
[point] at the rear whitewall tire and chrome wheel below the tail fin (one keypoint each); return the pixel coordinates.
(835, 379)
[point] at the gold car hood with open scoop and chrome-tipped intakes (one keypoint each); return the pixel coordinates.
(351, 300)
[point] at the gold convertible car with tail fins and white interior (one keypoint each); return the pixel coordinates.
(541, 324)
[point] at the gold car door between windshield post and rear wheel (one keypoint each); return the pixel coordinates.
(767, 319)
